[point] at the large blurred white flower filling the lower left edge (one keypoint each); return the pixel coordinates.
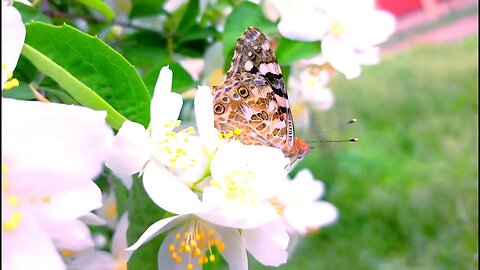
(47, 169)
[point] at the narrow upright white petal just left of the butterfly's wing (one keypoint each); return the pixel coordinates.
(204, 116)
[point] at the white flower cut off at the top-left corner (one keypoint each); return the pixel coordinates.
(13, 37)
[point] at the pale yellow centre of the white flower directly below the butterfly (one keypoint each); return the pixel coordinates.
(239, 186)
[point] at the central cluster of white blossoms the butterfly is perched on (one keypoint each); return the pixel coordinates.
(221, 193)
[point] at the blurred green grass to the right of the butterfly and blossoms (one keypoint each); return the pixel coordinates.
(407, 192)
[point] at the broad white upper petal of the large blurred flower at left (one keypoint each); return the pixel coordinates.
(53, 142)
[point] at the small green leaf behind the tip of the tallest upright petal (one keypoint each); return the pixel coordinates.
(182, 81)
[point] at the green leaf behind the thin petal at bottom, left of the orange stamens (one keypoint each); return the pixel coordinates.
(142, 213)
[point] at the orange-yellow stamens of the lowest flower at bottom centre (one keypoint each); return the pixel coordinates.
(193, 244)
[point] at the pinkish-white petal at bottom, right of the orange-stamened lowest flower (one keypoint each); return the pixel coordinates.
(267, 243)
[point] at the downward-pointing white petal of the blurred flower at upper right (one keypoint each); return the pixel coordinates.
(341, 56)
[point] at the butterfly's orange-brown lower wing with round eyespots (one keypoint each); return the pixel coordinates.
(247, 102)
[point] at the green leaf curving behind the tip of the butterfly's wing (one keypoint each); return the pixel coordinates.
(244, 15)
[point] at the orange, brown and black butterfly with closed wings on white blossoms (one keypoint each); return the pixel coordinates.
(253, 99)
